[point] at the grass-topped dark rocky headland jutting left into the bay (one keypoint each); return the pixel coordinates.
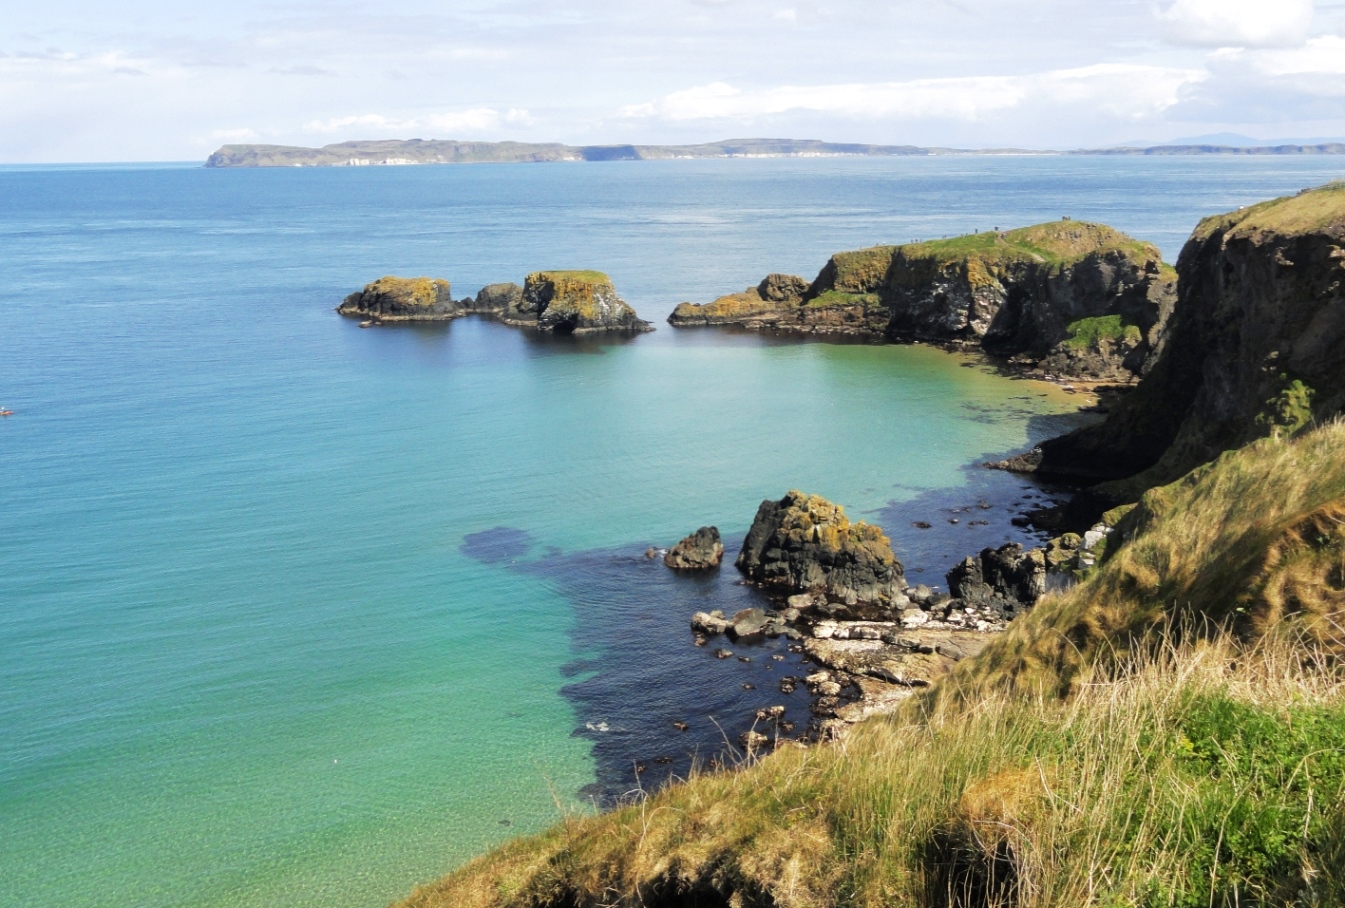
(1075, 299)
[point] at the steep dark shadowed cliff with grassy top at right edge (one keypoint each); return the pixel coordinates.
(1257, 348)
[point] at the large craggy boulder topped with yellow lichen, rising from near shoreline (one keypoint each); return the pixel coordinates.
(805, 544)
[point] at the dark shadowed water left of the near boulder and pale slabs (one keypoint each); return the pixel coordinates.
(638, 671)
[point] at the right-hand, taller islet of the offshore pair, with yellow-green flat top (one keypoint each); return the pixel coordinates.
(572, 303)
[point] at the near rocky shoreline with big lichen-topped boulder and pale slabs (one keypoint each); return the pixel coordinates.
(841, 601)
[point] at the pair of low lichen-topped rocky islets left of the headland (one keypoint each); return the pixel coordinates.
(560, 302)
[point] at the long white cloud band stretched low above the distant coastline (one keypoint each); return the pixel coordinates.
(1118, 91)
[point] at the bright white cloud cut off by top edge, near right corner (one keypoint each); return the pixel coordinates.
(1238, 24)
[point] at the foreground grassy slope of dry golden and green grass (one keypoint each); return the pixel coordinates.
(1186, 767)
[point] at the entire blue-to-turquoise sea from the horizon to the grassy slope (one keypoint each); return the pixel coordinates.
(299, 614)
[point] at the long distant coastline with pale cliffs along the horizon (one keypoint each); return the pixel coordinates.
(422, 151)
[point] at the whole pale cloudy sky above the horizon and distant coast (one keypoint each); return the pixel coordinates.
(161, 80)
